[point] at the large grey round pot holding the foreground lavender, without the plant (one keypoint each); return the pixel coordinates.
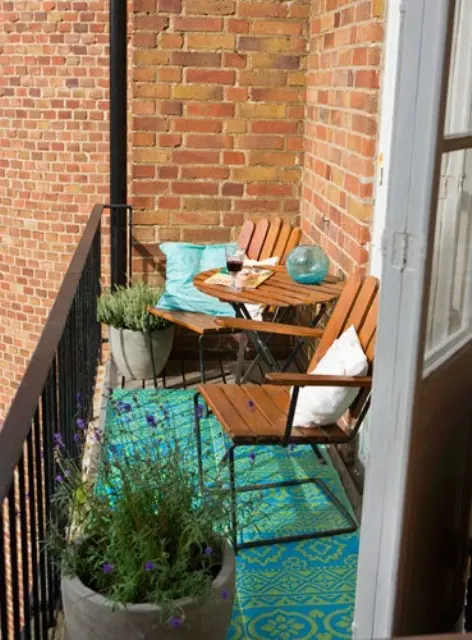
(88, 616)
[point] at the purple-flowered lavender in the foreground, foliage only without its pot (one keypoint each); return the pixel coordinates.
(142, 533)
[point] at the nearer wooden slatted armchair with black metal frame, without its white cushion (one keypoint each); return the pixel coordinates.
(263, 414)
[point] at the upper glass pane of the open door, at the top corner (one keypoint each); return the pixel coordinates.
(459, 99)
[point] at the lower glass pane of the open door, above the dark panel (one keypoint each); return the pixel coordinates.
(450, 305)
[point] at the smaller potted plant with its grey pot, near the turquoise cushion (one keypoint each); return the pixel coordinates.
(133, 330)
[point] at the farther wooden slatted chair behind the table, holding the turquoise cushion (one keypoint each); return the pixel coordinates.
(261, 240)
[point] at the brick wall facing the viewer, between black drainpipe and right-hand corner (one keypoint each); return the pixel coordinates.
(218, 106)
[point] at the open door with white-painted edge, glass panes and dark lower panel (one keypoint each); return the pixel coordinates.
(417, 499)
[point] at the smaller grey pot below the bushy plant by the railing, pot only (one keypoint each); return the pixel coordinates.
(131, 354)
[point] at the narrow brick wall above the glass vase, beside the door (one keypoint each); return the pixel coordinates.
(346, 41)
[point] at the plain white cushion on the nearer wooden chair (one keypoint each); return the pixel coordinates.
(319, 406)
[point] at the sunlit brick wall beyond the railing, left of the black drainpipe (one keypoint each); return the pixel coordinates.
(53, 158)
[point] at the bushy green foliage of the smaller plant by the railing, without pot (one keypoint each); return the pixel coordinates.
(125, 308)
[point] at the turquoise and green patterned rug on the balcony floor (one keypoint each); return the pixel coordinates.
(292, 591)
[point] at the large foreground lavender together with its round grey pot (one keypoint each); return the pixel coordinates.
(142, 553)
